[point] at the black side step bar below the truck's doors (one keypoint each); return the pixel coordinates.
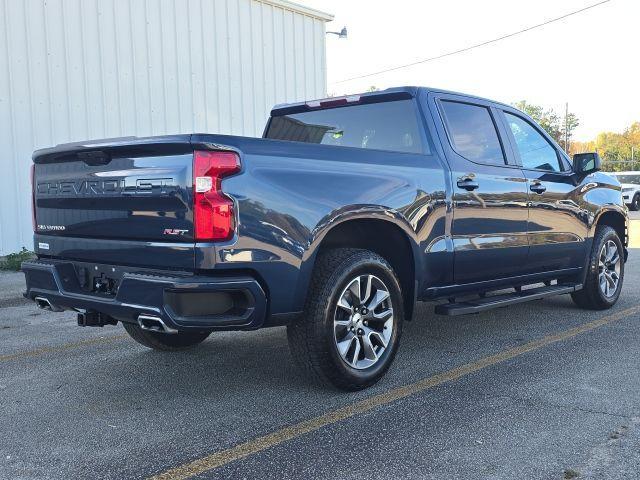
(490, 302)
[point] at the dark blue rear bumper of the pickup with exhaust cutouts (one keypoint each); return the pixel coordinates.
(182, 302)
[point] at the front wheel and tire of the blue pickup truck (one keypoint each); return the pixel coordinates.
(596, 295)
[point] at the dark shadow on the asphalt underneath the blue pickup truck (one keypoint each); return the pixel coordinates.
(258, 364)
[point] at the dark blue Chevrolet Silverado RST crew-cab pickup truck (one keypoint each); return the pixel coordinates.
(346, 213)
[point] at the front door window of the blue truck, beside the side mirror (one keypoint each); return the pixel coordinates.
(536, 153)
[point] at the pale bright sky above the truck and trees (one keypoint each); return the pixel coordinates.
(590, 60)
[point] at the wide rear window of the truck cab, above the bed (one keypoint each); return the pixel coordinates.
(380, 126)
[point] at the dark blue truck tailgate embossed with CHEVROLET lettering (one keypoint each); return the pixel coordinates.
(124, 193)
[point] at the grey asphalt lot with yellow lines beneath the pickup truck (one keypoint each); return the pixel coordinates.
(539, 390)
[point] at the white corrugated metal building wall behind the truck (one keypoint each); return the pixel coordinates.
(83, 69)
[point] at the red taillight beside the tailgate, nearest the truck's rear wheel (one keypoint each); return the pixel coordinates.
(213, 216)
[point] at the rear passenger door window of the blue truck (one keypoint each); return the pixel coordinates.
(473, 133)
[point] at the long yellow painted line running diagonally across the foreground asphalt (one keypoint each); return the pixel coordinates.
(223, 457)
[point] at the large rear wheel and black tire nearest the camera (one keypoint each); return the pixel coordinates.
(314, 338)
